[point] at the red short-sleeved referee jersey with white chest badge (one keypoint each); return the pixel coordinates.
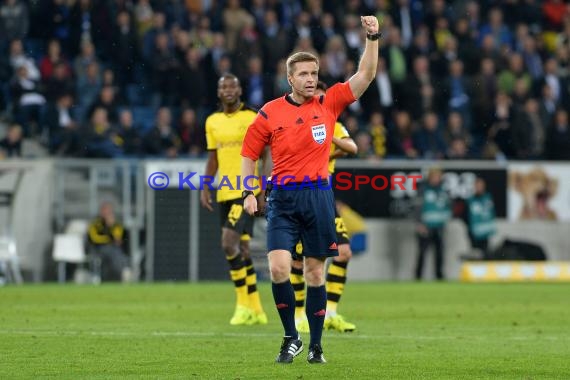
(300, 135)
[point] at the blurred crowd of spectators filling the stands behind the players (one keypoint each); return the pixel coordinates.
(456, 79)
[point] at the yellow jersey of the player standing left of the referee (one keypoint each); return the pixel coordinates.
(224, 134)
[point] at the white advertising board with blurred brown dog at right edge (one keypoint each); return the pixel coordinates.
(538, 191)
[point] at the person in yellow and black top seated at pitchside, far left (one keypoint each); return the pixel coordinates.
(107, 240)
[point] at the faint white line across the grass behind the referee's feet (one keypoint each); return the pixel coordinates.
(191, 334)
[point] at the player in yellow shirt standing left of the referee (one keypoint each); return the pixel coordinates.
(225, 131)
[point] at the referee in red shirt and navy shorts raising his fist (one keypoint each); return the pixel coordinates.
(299, 129)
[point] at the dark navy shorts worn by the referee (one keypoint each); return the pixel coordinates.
(305, 214)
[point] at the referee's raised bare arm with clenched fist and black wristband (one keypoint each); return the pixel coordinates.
(360, 81)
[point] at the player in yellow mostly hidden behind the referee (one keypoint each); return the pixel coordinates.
(336, 275)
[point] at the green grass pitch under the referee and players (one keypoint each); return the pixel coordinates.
(406, 330)
